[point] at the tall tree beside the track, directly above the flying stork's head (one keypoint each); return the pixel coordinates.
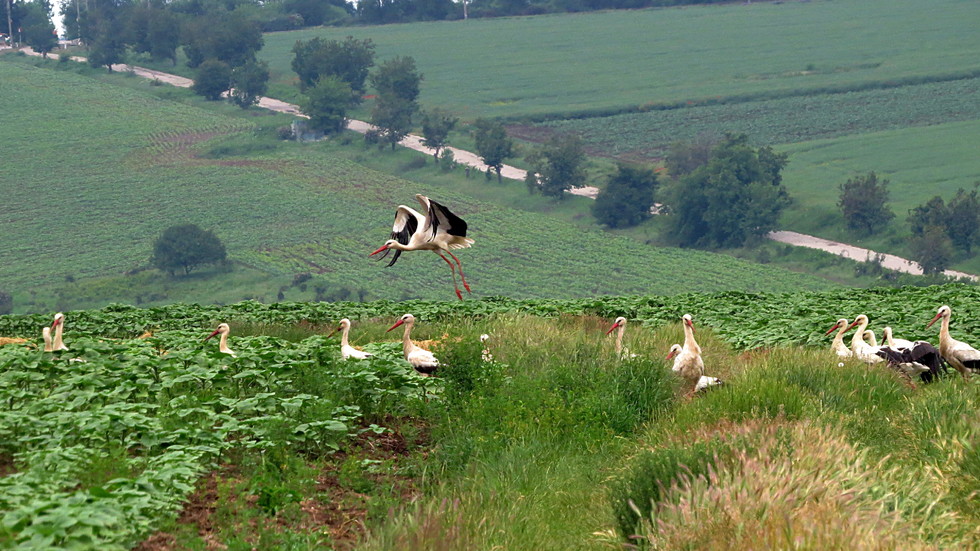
(397, 84)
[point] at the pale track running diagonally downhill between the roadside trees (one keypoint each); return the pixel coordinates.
(470, 159)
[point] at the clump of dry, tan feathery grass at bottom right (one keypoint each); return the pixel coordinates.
(800, 486)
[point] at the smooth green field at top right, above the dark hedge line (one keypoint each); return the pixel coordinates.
(521, 66)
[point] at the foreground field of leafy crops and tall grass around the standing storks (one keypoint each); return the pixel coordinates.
(554, 443)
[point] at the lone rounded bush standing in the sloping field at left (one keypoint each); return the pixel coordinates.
(186, 247)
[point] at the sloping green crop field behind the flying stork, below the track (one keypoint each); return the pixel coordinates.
(110, 167)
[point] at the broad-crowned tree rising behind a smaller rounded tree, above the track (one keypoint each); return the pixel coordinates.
(349, 61)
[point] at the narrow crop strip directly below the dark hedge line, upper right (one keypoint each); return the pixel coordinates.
(792, 120)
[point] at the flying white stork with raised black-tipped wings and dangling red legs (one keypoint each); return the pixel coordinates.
(439, 231)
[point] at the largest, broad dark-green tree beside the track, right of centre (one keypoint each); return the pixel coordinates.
(738, 195)
